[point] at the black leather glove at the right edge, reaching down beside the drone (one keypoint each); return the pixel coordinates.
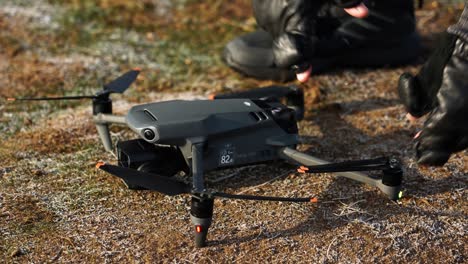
(441, 88)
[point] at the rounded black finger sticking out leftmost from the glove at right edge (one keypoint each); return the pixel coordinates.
(412, 95)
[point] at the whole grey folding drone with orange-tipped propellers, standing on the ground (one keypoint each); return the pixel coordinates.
(227, 131)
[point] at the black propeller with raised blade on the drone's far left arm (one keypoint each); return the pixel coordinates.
(118, 85)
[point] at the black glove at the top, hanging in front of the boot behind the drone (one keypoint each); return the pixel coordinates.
(292, 25)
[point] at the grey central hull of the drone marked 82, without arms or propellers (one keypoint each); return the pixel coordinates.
(233, 132)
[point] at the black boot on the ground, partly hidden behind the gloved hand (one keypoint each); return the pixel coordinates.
(386, 37)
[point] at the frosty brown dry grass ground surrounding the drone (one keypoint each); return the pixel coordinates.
(55, 207)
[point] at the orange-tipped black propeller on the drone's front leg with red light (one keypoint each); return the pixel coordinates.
(171, 187)
